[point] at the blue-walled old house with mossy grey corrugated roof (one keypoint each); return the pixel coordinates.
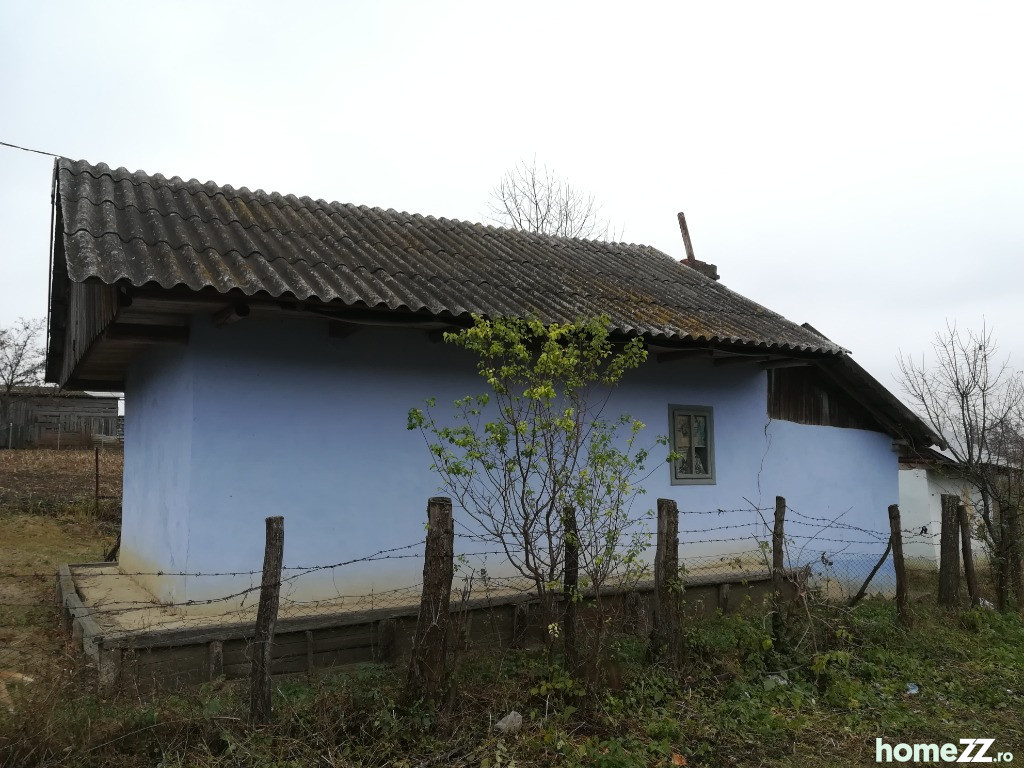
(271, 347)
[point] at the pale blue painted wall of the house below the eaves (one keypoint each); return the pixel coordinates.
(278, 418)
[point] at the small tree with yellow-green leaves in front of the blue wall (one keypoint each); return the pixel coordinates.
(537, 447)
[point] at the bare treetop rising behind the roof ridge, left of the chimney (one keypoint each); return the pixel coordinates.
(536, 199)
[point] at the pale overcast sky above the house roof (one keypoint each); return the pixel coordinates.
(859, 166)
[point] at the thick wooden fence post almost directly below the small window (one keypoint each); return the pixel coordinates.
(666, 634)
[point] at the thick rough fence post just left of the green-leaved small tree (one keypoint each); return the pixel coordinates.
(428, 670)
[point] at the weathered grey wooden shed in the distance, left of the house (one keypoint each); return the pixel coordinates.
(48, 417)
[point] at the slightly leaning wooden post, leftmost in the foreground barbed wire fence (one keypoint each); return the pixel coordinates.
(267, 619)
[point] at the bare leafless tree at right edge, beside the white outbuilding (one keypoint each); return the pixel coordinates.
(975, 400)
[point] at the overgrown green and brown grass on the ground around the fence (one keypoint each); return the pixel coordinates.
(740, 701)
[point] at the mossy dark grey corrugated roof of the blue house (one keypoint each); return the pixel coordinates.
(144, 230)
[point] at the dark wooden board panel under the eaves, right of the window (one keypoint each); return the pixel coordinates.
(806, 396)
